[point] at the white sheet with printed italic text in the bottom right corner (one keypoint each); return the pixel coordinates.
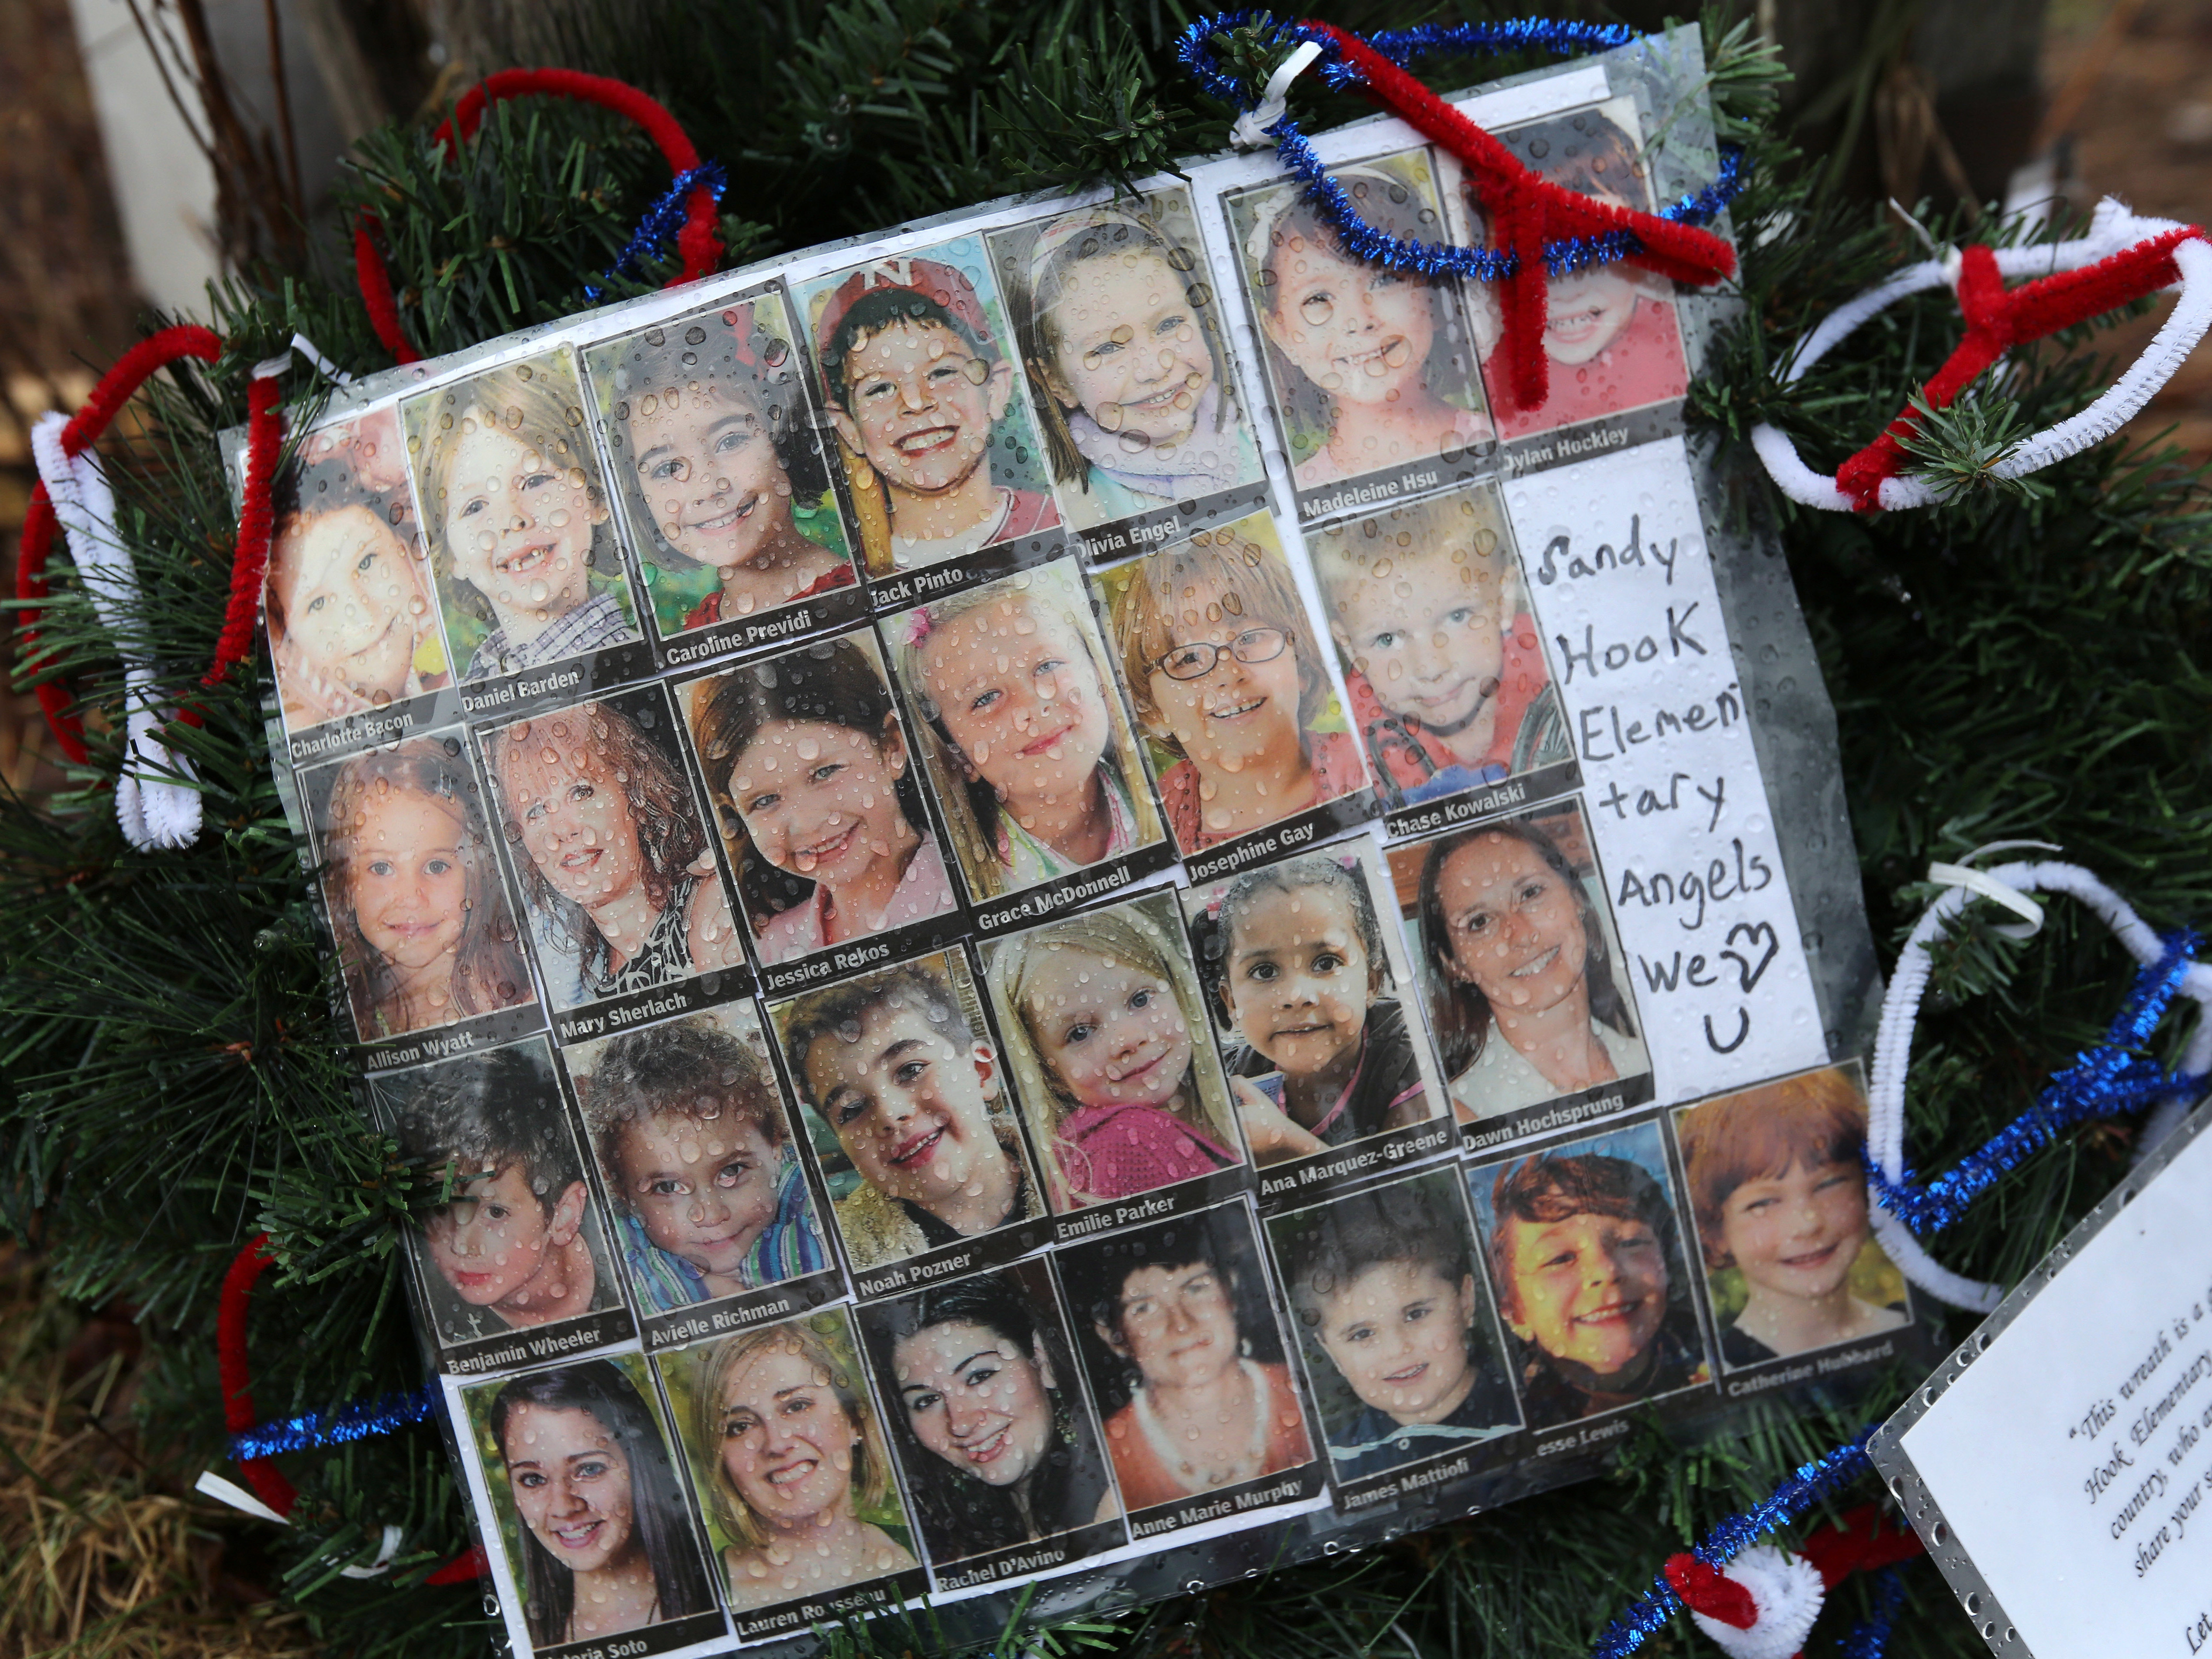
(2074, 1461)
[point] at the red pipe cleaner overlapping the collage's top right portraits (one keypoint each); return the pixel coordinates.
(1525, 213)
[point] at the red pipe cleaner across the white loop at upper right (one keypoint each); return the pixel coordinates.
(1999, 320)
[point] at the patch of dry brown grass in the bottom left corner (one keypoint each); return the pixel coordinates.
(98, 1556)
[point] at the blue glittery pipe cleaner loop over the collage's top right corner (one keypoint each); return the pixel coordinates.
(1375, 247)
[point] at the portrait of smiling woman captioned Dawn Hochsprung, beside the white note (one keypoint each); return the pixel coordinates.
(1523, 970)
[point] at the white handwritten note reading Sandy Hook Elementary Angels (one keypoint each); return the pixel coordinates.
(1623, 592)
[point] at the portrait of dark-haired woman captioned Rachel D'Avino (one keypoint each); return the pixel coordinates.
(988, 1415)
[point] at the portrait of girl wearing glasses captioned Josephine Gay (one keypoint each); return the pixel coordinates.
(1229, 682)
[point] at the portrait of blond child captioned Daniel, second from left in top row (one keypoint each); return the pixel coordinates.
(517, 517)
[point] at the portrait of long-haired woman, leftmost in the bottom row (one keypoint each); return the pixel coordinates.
(603, 1534)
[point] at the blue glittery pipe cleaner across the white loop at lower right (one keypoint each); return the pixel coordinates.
(2109, 1081)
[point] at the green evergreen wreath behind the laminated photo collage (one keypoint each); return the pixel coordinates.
(2021, 662)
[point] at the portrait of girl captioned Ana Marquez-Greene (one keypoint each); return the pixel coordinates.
(1306, 992)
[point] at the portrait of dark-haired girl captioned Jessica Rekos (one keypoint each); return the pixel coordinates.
(817, 797)
